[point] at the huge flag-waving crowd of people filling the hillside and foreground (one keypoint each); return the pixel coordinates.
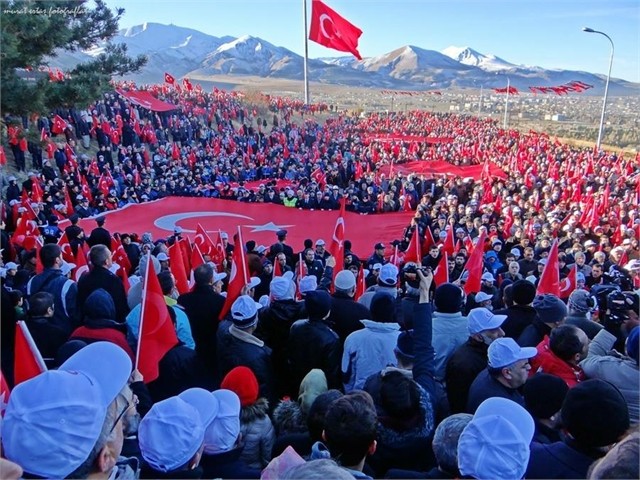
(314, 371)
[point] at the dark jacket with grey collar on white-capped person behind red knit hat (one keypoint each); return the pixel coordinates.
(237, 348)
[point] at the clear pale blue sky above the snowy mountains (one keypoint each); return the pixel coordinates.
(545, 33)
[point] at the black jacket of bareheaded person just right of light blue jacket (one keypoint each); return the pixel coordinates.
(203, 307)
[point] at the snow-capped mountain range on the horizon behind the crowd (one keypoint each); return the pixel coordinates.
(185, 52)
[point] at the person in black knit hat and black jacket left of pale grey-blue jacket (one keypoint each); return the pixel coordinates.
(313, 344)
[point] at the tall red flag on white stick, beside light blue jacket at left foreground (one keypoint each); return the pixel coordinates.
(156, 335)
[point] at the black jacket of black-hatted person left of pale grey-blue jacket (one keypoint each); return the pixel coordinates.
(312, 344)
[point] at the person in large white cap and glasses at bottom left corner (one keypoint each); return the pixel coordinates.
(67, 422)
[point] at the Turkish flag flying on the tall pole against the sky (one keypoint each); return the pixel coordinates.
(333, 31)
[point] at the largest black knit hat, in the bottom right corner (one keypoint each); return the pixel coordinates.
(595, 413)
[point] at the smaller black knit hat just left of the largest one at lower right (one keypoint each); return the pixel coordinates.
(544, 395)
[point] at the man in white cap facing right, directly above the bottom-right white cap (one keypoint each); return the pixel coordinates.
(507, 371)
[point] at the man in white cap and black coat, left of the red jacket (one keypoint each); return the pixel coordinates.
(471, 357)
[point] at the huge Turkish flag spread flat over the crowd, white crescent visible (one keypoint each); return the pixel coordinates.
(259, 222)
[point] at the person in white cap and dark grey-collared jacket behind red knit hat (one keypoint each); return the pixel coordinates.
(237, 346)
